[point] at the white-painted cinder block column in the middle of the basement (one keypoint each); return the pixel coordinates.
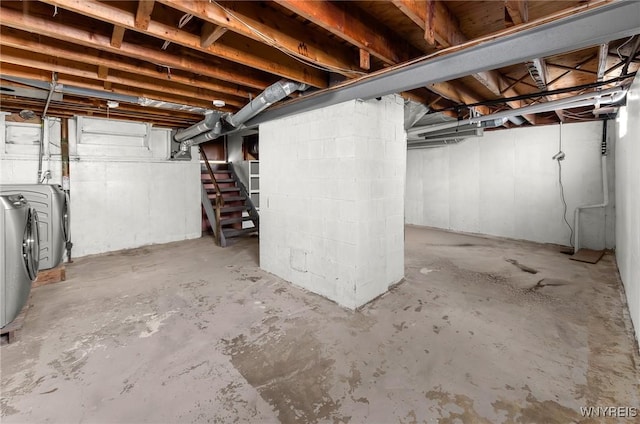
(332, 199)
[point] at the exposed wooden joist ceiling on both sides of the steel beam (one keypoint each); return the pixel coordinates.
(192, 52)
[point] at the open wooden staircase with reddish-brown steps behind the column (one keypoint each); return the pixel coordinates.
(225, 201)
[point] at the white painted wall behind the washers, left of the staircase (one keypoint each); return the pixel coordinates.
(121, 196)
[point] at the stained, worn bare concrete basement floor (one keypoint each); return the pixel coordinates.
(189, 332)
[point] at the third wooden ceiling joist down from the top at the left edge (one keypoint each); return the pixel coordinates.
(69, 67)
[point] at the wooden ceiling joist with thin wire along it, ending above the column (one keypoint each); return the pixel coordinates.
(253, 21)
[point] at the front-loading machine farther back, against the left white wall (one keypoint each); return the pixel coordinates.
(52, 205)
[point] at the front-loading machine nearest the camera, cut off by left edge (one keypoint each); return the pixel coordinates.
(19, 251)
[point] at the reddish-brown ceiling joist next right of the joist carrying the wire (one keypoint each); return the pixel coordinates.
(354, 27)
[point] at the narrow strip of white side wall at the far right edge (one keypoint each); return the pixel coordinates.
(628, 200)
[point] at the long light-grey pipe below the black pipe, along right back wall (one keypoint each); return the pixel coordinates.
(587, 99)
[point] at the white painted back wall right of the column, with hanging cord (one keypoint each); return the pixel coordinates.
(506, 184)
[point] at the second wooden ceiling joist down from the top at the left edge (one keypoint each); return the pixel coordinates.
(35, 43)
